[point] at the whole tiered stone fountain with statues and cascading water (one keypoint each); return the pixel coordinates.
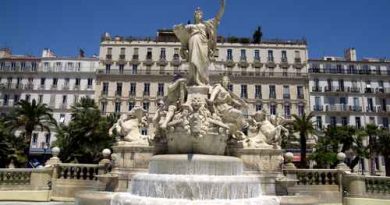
(200, 154)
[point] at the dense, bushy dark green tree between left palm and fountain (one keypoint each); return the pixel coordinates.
(86, 135)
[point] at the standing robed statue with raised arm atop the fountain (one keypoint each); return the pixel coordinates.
(199, 44)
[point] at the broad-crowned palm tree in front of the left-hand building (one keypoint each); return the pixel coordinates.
(29, 117)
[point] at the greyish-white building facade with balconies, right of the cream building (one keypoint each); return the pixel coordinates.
(345, 91)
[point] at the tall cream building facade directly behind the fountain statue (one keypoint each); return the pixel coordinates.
(271, 75)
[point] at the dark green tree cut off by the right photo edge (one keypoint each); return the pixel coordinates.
(382, 147)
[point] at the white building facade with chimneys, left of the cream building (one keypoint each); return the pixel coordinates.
(56, 81)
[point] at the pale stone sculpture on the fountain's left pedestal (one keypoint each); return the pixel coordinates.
(128, 126)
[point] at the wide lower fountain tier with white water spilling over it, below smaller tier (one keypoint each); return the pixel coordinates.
(196, 187)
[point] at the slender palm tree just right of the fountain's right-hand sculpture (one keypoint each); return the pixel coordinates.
(305, 126)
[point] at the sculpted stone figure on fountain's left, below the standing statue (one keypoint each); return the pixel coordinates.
(177, 93)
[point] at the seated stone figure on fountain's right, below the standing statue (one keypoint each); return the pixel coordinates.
(225, 103)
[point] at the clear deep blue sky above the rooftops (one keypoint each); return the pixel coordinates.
(65, 26)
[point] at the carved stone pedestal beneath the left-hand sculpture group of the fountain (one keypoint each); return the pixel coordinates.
(128, 161)
